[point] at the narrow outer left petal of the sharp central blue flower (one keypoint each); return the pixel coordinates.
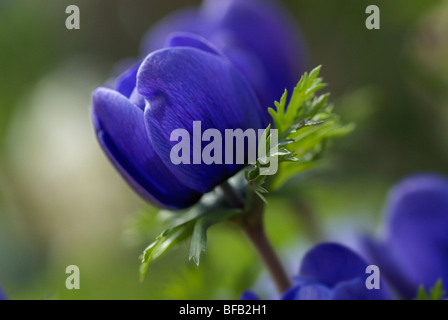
(121, 132)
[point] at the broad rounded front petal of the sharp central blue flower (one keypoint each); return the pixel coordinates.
(184, 84)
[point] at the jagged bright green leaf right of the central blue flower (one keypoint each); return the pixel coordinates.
(304, 127)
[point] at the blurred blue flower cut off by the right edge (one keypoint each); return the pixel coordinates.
(413, 250)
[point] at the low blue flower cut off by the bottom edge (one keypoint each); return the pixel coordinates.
(331, 272)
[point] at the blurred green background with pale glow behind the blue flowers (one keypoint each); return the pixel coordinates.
(62, 203)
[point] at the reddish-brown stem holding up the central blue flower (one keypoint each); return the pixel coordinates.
(252, 225)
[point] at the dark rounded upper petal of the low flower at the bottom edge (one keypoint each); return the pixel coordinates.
(331, 263)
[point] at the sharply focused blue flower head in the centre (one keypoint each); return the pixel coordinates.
(187, 81)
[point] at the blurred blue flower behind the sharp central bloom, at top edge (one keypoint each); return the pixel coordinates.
(258, 36)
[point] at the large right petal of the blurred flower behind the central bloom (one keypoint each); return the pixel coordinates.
(266, 30)
